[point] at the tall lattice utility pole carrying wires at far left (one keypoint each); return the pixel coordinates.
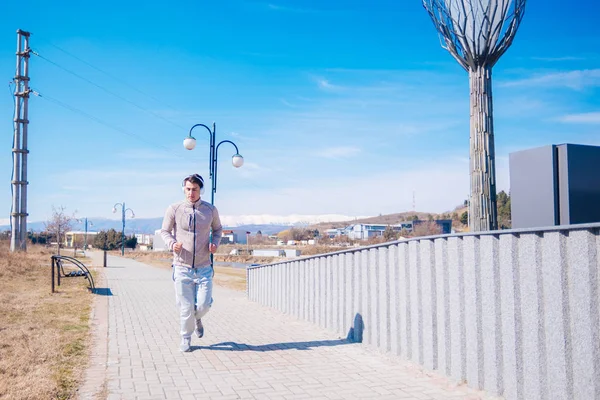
(18, 215)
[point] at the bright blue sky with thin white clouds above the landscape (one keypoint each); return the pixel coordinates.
(344, 108)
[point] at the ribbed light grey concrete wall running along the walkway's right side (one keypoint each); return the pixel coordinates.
(515, 313)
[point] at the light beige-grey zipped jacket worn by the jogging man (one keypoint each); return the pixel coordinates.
(191, 225)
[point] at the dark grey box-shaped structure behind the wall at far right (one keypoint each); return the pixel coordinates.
(555, 185)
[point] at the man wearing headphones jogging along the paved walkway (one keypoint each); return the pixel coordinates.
(186, 230)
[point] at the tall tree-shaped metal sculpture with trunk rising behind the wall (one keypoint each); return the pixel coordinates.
(477, 33)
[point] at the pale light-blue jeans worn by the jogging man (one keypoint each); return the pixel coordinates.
(193, 294)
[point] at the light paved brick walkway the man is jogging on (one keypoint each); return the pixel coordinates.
(248, 351)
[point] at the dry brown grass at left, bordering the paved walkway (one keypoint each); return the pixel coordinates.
(44, 337)
